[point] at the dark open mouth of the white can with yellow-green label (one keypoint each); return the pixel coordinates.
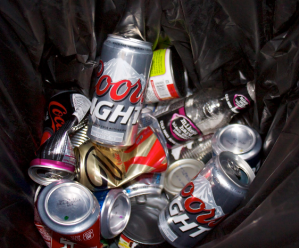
(178, 73)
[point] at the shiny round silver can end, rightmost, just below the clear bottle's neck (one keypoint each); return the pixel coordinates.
(235, 138)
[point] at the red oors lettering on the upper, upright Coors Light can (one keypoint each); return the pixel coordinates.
(114, 87)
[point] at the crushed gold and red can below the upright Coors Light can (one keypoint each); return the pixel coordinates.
(100, 168)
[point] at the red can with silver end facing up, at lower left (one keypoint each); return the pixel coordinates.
(70, 209)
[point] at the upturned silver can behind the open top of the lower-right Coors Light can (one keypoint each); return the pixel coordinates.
(241, 140)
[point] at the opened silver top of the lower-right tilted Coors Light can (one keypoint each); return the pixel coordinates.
(236, 169)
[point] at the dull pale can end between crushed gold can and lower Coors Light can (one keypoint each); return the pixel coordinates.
(180, 173)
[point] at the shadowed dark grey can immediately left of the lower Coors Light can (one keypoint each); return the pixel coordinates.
(143, 224)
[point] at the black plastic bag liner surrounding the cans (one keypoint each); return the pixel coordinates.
(47, 46)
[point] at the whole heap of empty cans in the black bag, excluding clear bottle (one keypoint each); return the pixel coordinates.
(106, 175)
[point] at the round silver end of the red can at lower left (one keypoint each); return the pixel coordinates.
(65, 204)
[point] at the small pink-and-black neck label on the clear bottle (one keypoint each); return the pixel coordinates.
(238, 99)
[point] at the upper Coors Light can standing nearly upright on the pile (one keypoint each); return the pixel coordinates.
(117, 101)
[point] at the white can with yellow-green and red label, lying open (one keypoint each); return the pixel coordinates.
(168, 77)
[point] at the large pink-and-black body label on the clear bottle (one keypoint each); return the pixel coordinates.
(176, 126)
